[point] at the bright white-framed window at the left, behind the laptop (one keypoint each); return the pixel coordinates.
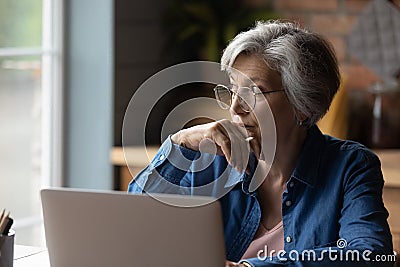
(30, 110)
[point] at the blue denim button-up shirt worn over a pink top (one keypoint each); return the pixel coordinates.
(334, 195)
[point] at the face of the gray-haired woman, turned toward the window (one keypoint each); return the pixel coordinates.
(258, 122)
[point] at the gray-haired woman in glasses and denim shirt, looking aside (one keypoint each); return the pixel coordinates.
(317, 194)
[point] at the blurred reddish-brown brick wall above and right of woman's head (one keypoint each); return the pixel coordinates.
(333, 19)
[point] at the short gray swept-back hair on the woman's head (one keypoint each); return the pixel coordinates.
(305, 61)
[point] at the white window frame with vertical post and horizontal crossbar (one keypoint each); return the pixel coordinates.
(52, 97)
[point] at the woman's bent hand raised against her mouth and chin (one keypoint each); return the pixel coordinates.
(223, 137)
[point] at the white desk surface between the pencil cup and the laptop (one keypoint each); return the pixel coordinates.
(26, 256)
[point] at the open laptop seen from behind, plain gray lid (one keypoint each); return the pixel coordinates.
(109, 228)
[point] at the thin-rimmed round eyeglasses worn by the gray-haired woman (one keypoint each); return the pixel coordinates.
(246, 96)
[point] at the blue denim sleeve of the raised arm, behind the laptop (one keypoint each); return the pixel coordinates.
(179, 170)
